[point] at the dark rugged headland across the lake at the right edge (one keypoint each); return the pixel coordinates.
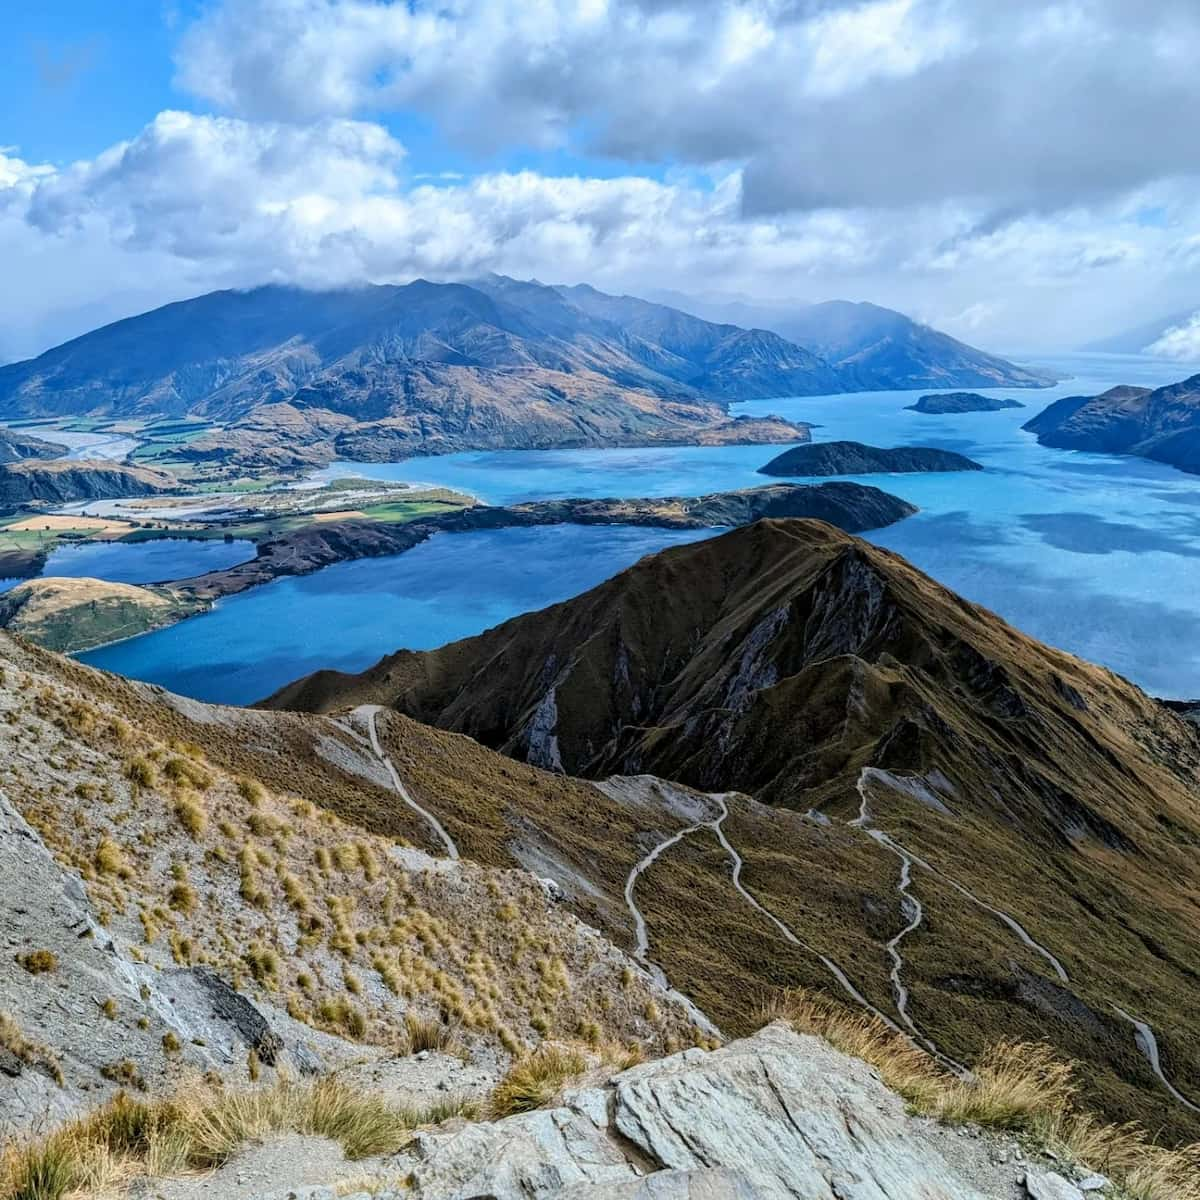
(1162, 424)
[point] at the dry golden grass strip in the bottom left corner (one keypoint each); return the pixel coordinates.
(200, 1130)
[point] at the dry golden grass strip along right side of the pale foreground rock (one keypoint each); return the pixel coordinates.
(1017, 1087)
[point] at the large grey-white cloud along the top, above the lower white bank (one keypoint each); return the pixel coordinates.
(825, 103)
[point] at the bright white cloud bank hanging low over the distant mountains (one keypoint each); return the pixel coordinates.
(194, 203)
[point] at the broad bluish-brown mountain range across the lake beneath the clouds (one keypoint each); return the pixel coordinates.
(386, 373)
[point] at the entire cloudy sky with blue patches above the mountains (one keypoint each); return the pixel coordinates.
(1023, 175)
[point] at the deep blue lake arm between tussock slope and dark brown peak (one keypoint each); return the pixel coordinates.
(350, 615)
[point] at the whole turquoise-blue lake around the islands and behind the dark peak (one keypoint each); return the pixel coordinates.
(1099, 555)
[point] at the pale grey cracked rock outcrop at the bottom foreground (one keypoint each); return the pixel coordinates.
(776, 1117)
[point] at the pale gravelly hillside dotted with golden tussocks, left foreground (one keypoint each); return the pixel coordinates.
(196, 889)
